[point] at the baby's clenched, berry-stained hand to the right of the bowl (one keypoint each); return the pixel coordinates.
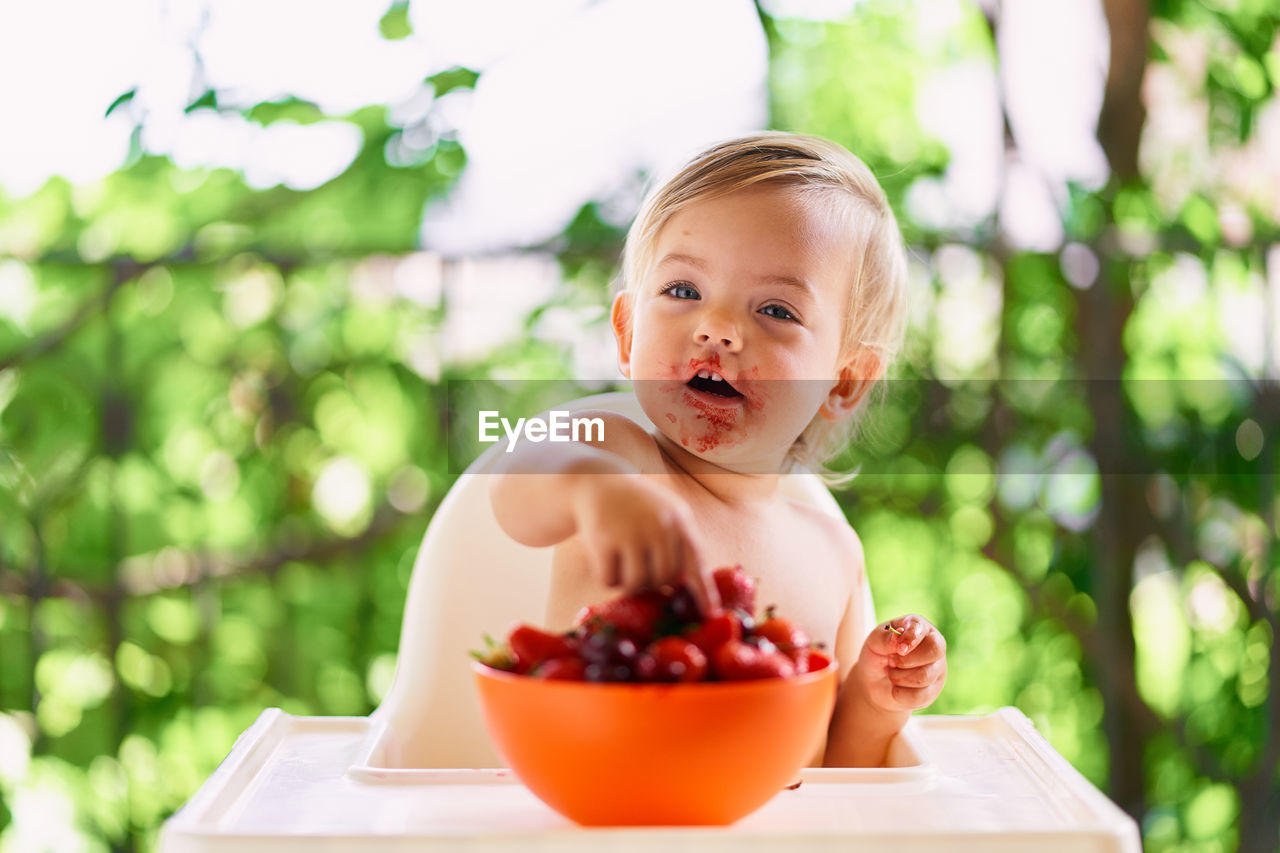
(903, 664)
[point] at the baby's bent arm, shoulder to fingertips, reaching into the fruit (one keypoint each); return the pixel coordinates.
(636, 532)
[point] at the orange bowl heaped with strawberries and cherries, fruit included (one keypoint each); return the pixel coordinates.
(651, 713)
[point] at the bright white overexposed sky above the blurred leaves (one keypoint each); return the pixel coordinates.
(542, 135)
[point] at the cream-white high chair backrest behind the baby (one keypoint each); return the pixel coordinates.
(472, 580)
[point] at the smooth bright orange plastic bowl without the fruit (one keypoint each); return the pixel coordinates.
(625, 755)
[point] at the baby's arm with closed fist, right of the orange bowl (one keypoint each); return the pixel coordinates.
(890, 672)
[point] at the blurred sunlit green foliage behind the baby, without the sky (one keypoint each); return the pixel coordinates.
(221, 441)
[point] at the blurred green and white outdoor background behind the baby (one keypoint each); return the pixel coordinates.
(245, 248)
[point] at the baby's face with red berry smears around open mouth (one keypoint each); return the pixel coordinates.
(737, 330)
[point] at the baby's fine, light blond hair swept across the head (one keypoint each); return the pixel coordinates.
(876, 312)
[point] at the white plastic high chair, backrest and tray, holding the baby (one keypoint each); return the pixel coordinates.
(420, 773)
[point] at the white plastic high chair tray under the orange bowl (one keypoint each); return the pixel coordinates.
(986, 784)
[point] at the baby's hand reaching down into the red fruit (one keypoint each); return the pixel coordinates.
(639, 535)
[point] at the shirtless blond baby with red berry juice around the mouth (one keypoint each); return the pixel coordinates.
(764, 298)
